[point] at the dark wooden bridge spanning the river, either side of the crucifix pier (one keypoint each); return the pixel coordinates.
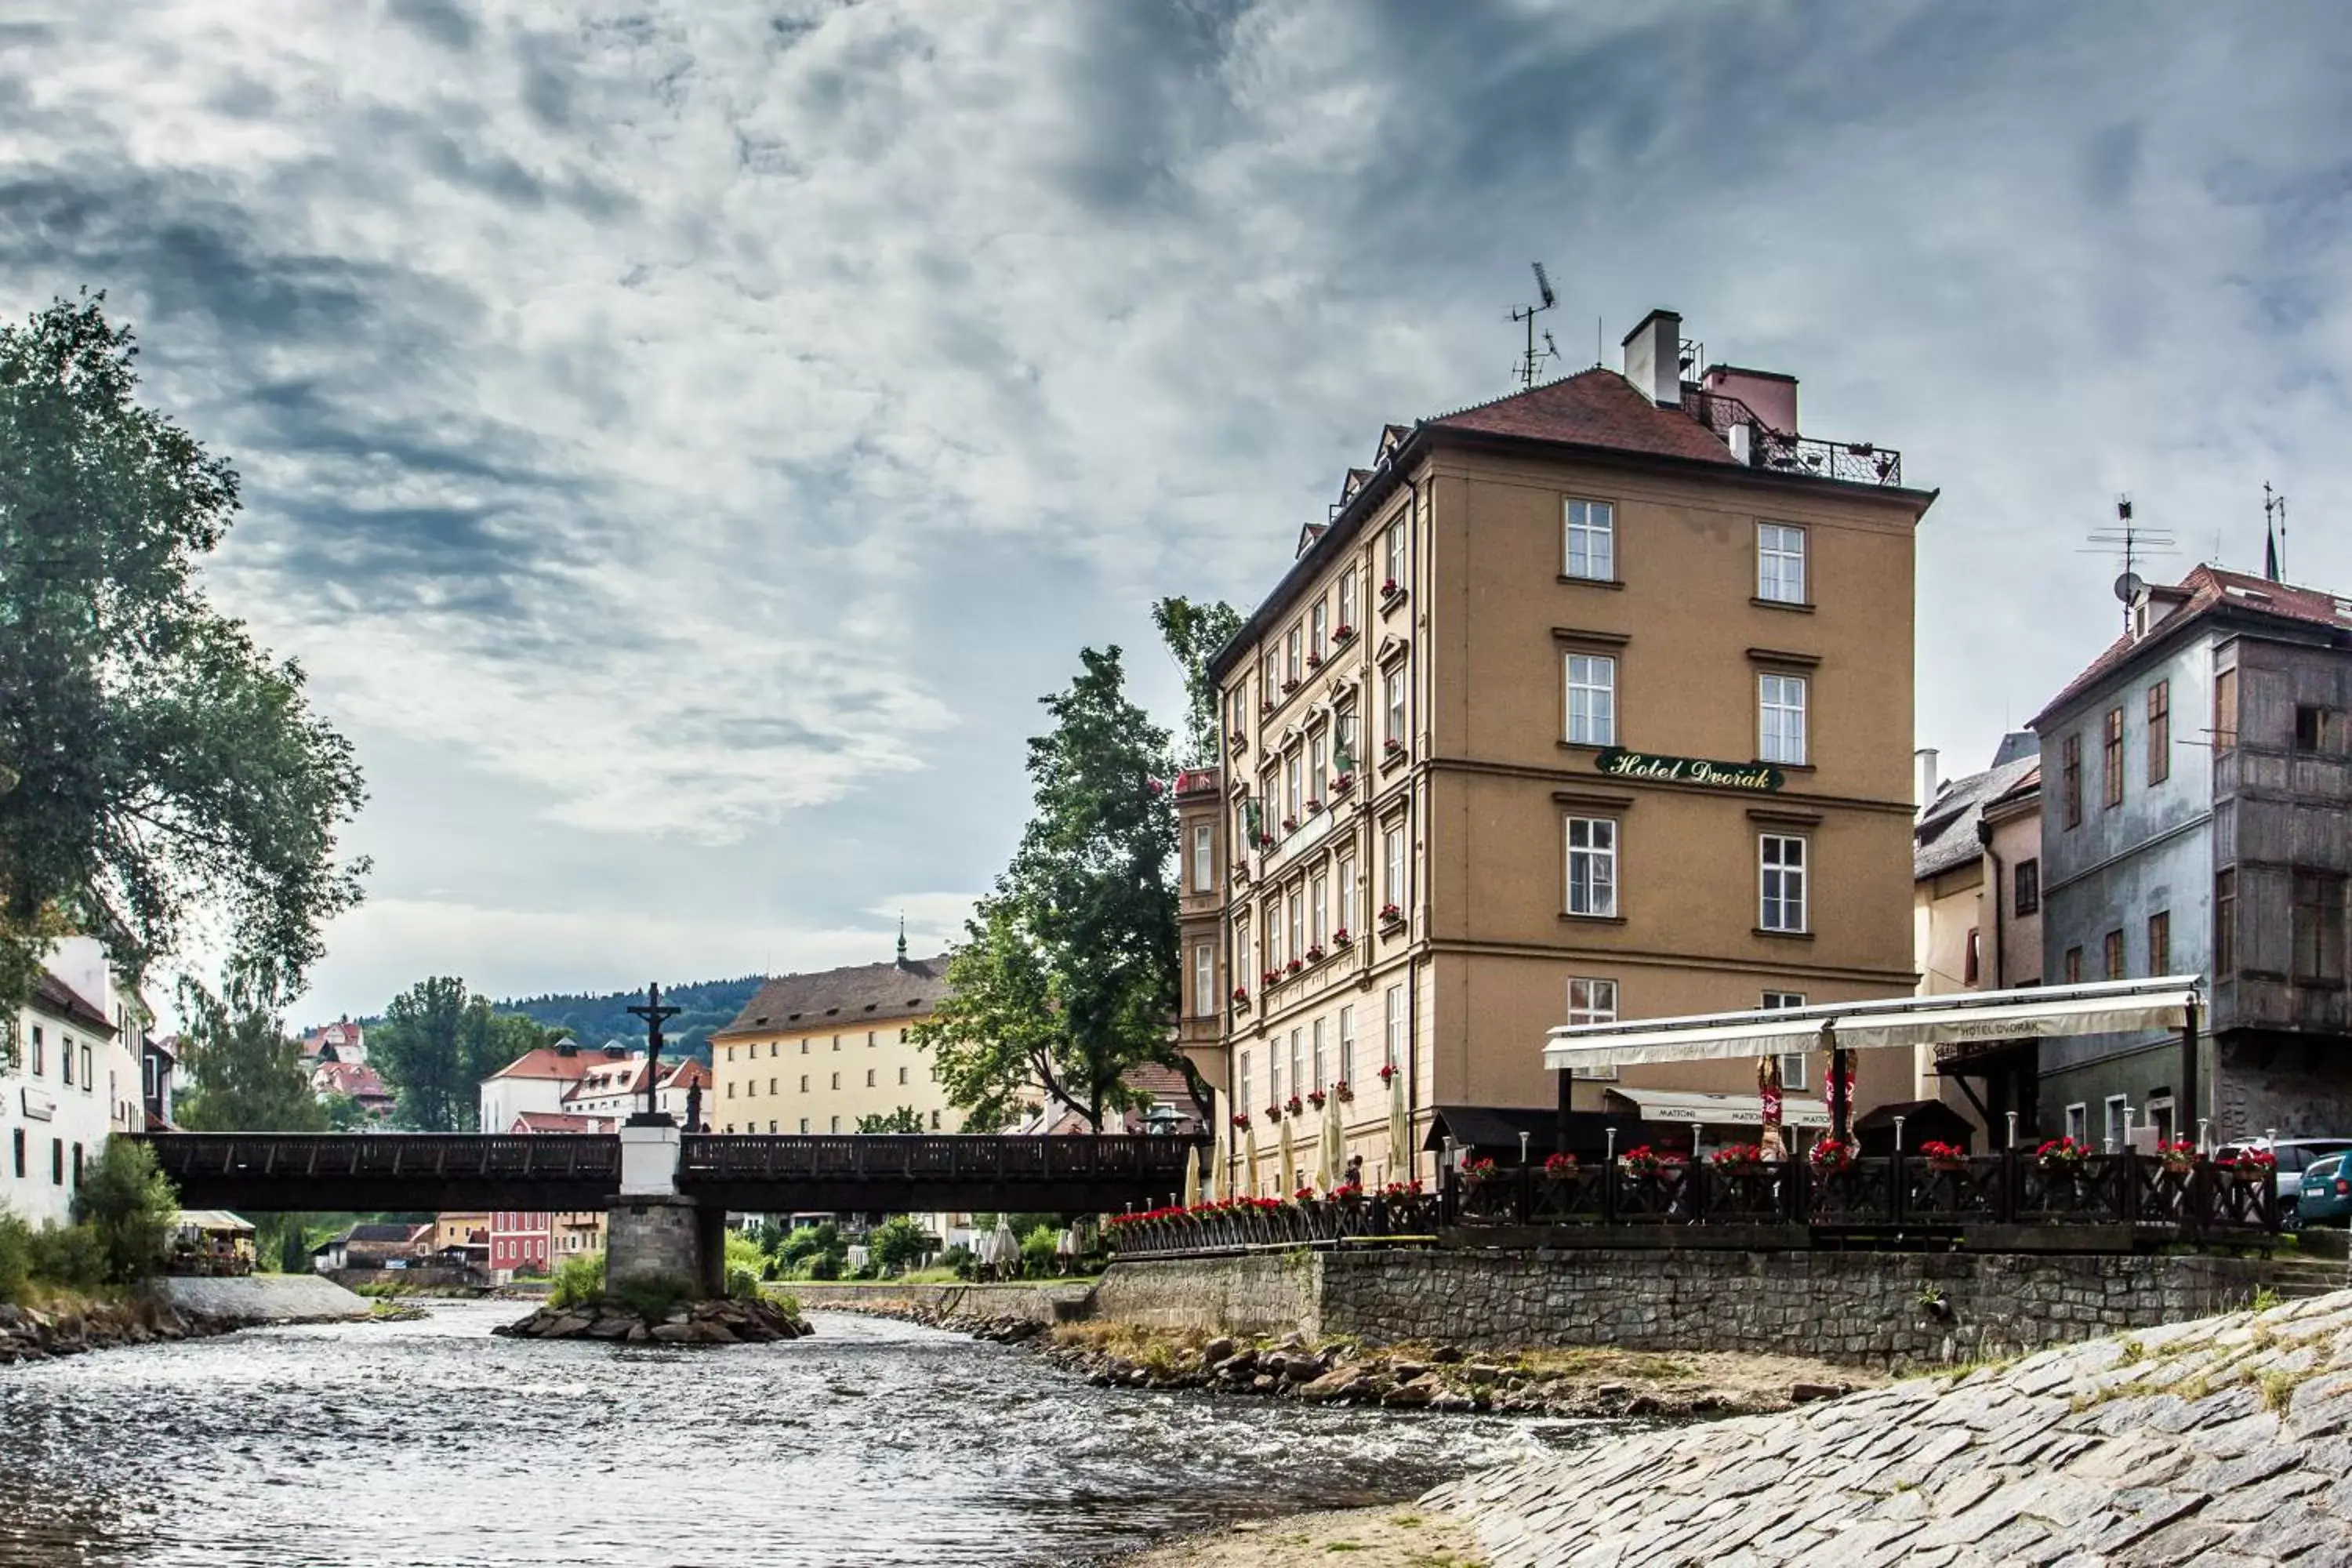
(744, 1174)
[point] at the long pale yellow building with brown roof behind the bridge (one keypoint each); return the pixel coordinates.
(815, 1054)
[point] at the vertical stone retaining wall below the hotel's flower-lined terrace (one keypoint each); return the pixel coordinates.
(1885, 1311)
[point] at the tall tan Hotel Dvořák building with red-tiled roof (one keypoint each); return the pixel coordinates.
(1586, 704)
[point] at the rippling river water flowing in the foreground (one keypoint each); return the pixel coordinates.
(867, 1445)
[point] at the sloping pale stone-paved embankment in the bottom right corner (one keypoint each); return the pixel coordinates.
(2217, 1442)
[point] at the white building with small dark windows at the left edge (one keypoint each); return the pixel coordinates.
(74, 1083)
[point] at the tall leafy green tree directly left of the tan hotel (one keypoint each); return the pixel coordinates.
(1069, 972)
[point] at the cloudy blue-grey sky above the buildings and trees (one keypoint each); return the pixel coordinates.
(683, 441)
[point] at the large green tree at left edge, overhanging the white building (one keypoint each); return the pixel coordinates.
(166, 770)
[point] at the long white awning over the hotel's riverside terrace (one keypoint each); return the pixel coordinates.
(2106, 1007)
